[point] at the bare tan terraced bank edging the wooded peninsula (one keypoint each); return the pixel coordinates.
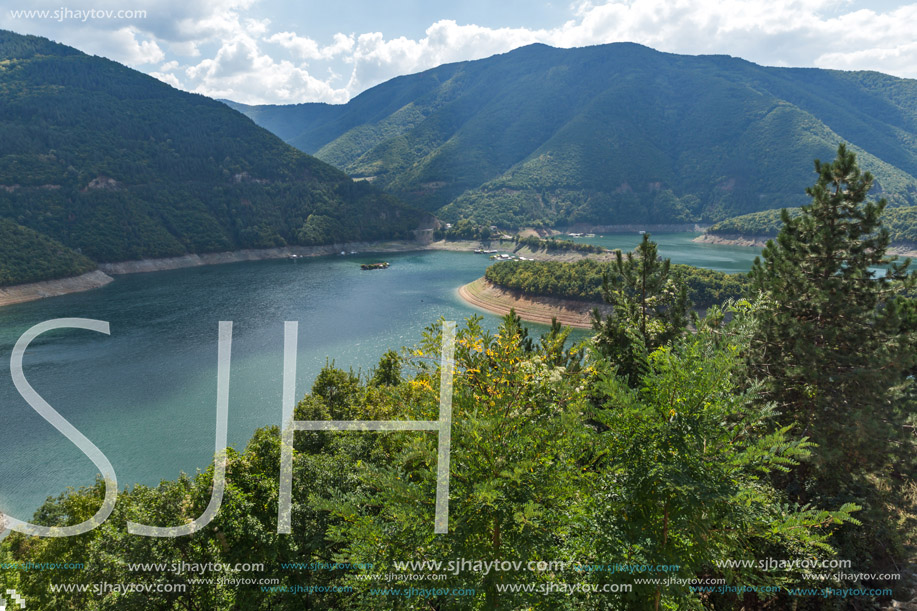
(483, 295)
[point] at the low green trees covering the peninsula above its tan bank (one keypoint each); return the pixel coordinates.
(582, 280)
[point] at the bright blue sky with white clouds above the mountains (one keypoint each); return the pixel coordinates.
(261, 52)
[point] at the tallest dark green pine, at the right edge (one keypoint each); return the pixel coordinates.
(835, 344)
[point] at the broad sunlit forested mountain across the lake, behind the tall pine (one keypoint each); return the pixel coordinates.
(609, 134)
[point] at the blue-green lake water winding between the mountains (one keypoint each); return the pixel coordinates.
(146, 394)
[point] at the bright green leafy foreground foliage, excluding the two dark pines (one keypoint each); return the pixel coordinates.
(554, 457)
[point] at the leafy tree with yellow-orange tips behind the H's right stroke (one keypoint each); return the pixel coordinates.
(515, 480)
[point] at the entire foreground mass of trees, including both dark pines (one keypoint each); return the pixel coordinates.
(777, 430)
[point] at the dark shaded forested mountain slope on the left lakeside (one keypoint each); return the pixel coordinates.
(118, 165)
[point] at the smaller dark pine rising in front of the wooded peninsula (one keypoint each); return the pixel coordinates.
(649, 309)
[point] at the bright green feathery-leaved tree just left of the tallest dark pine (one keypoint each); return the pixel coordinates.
(682, 470)
